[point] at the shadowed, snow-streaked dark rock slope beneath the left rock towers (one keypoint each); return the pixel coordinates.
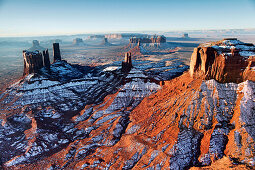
(49, 110)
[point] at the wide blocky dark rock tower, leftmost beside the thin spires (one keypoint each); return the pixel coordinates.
(33, 62)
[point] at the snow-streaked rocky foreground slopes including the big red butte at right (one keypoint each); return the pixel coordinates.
(77, 117)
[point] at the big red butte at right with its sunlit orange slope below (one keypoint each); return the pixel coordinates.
(203, 119)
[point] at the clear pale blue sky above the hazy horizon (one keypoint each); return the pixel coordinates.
(64, 17)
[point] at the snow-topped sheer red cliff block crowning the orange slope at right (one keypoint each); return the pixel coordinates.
(228, 60)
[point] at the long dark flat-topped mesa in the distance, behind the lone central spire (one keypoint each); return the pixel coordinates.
(154, 39)
